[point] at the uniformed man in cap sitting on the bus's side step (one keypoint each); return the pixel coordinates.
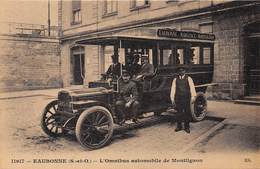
(128, 98)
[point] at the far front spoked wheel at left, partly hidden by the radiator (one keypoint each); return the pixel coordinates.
(51, 121)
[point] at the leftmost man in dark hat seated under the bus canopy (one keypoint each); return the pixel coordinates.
(114, 70)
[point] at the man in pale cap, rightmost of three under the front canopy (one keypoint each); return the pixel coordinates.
(147, 69)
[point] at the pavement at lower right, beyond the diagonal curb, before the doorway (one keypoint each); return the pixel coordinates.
(239, 133)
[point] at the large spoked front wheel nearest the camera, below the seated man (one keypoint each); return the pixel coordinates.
(94, 127)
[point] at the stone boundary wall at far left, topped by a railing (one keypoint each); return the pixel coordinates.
(29, 63)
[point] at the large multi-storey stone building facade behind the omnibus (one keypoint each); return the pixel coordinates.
(235, 24)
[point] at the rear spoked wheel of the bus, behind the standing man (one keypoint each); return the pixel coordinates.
(199, 107)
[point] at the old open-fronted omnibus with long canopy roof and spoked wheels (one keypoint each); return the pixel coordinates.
(90, 112)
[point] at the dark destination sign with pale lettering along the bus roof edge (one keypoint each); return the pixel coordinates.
(171, 33)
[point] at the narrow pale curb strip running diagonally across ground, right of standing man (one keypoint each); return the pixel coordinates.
(202, 137)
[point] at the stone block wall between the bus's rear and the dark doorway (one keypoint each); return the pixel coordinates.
(229, 52)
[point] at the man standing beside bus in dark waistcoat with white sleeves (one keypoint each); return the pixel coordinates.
(182, 94)
